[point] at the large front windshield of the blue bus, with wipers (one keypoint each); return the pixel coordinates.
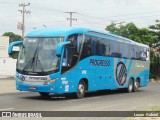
(38, 55)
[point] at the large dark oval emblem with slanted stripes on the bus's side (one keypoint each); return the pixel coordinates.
(121, 73)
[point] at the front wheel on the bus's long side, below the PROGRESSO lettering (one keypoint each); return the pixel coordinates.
(81, 89)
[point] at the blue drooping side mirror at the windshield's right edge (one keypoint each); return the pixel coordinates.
(60, 47)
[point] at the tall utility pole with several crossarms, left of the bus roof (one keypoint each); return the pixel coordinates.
(23, 12)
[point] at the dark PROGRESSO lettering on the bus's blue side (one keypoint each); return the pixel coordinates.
(95, 62)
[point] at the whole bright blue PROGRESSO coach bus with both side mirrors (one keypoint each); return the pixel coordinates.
(77, 60)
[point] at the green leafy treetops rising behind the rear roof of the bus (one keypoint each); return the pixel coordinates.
(131, 31)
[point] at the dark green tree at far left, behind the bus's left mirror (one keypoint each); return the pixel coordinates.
(13, 37)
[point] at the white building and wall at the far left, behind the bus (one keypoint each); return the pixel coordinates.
(7, 64)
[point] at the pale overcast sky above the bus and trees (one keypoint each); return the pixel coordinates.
(90, 13)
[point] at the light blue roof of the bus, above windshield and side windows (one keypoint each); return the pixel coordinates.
(65, 31)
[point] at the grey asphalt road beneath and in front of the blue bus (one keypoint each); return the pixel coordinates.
(114, 100)
